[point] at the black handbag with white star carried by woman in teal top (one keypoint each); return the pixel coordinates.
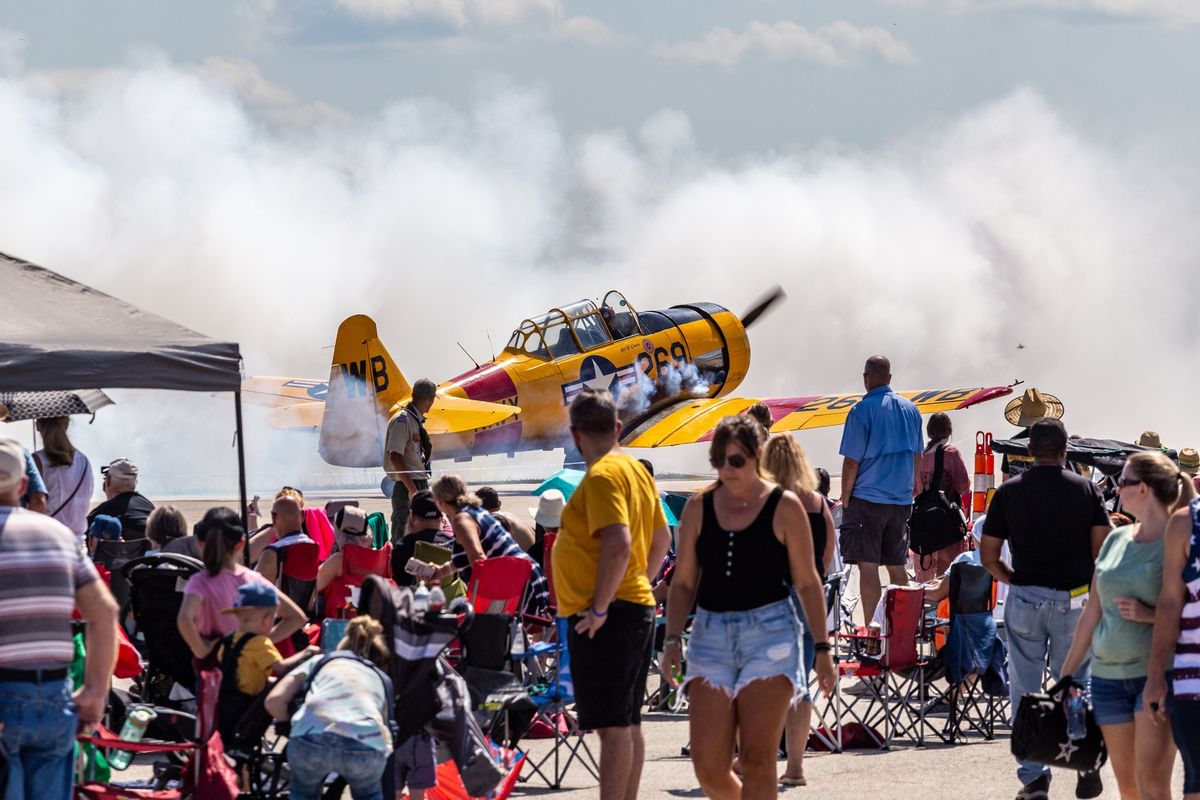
(1040, 733)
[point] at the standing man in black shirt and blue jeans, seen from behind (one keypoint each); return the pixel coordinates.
(1054, 522)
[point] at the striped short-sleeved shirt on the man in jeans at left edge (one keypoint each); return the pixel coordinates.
(41, 569)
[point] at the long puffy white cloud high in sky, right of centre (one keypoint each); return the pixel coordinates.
(836, 45)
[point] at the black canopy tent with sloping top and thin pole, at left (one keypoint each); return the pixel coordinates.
(57, 334)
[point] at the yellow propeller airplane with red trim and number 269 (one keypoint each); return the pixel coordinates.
(671, 371)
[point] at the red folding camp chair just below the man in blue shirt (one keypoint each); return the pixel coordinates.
(896, 682)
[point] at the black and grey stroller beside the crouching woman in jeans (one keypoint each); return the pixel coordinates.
(433, 696)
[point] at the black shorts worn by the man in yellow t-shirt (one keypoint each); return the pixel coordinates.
(610, 670)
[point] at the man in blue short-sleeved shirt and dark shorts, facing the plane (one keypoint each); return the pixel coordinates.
(881, 447)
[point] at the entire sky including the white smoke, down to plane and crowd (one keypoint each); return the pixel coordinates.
(941, 181)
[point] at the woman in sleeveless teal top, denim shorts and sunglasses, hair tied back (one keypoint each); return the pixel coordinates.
(1119, 623)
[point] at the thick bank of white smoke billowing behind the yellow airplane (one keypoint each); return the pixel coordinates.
(946, 250)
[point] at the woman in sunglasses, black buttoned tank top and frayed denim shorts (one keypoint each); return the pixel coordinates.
(743, 546)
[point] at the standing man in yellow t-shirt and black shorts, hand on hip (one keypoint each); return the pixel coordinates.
(613, 542)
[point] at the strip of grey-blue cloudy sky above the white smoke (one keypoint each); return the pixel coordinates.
(764, 75)
